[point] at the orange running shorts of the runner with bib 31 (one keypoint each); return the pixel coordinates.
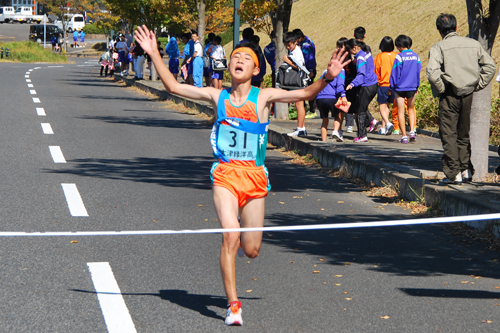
(244, 182)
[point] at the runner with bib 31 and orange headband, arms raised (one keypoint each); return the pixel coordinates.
(239, 140)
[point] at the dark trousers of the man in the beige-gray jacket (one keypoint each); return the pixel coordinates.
(454, 126)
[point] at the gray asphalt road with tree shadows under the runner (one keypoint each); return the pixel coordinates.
(137, 165)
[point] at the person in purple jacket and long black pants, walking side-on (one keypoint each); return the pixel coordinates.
(366, 79)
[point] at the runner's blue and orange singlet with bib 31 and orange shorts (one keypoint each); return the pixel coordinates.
(239, 142)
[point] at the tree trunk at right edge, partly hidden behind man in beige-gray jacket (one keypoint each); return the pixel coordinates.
(483, 26)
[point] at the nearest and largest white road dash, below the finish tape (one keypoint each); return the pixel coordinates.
(114, 309)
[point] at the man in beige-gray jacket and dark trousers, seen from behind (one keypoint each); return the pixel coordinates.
(457, 67)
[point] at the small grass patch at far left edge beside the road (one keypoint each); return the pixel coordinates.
(31, 52)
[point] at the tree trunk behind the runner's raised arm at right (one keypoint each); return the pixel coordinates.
(281, 20)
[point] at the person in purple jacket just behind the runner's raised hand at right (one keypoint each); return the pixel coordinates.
(325, 101)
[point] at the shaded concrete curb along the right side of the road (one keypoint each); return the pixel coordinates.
(453, 200)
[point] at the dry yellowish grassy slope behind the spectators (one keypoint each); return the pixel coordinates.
(325, 21)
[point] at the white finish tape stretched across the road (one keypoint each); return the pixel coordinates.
(395, 223)
